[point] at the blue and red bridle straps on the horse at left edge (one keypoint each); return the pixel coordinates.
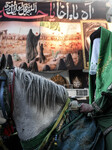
(6, 94)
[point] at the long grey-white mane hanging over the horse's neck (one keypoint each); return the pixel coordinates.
(40, 91)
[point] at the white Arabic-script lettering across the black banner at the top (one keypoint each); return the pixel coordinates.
(60, 10)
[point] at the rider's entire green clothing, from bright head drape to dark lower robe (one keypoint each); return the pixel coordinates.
(100, 95)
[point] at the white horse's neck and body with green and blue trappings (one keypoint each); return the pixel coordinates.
(43, 117)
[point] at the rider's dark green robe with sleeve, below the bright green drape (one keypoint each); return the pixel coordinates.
(103, 116)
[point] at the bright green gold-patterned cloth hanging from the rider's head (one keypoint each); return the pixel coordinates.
(104, 71)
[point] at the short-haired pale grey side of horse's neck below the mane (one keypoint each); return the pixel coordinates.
(29, 122)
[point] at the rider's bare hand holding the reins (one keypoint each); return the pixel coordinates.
(86, 108)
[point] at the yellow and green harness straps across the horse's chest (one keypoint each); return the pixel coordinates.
(48, 138)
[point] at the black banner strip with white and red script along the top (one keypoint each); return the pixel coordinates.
(52, 11)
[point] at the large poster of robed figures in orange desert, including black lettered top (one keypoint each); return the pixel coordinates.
(48, 34)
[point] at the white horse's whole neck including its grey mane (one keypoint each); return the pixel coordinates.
(37, 101)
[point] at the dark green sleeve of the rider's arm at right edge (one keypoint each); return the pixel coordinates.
(104, 118)
